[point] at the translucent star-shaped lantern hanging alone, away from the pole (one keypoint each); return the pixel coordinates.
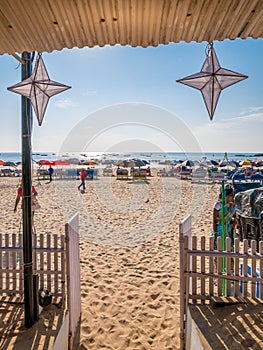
(212, 80)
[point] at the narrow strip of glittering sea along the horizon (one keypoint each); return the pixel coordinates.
(16, 157)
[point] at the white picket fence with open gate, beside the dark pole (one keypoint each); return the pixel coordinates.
(55, 260)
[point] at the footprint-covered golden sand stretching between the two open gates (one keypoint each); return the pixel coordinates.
(129, 251)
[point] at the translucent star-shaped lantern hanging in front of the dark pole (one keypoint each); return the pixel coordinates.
(39, 88)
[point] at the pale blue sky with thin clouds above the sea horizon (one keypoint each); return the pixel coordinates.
(140, 82)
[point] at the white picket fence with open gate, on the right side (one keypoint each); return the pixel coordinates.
(207, 273)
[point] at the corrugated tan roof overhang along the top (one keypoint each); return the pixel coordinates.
(47, 25)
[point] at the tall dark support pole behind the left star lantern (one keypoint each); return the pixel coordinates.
(27, 196)
